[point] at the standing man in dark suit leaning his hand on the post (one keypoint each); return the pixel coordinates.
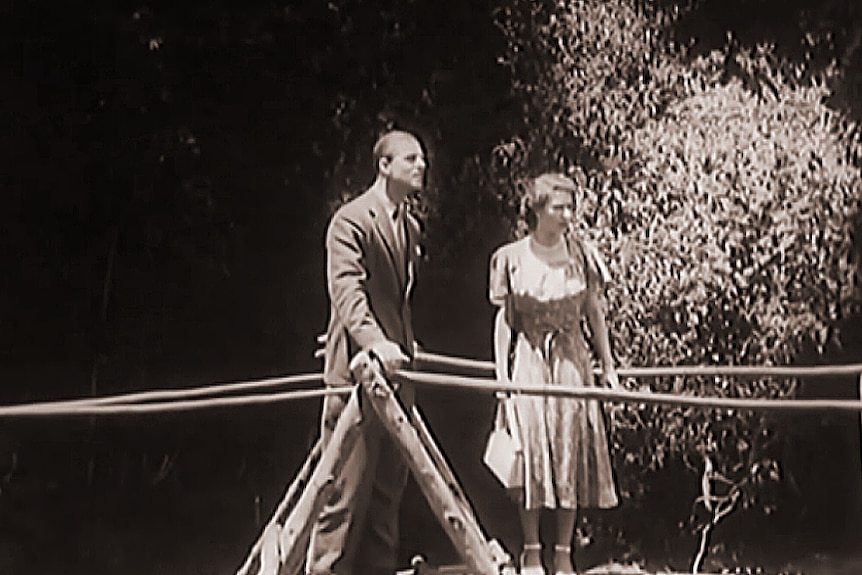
(371, 249)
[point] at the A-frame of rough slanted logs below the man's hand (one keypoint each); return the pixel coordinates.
(282, 546)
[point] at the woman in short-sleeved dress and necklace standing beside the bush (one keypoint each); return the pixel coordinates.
(545, 284)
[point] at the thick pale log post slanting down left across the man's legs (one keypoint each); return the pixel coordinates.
(282, 548)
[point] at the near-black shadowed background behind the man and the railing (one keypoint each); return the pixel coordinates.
(169, 169)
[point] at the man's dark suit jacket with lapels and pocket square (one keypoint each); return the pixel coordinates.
(369, 283)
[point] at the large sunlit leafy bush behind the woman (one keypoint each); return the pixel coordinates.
(723, 188)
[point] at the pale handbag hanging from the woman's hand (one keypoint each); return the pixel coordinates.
(504, 454)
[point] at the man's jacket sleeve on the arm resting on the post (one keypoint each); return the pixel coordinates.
(347, 277)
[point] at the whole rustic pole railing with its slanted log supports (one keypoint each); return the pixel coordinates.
(282, 544)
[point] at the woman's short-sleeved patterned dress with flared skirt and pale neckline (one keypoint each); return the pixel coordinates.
(546, 291)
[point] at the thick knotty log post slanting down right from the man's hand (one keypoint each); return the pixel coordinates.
(481, 557)
